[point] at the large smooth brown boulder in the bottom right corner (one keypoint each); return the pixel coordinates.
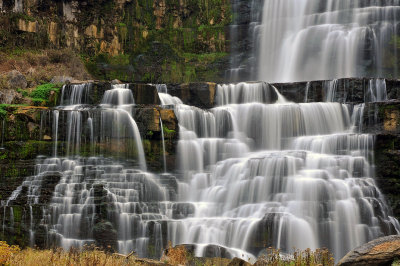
(381, 251)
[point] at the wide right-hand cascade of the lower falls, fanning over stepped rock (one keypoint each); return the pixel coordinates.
(260, 169)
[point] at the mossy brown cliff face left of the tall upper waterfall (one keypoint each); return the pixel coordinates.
(148, 41)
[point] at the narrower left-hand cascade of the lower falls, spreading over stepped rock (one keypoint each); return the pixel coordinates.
(92, 189)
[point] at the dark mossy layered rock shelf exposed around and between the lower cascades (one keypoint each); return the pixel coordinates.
(28, 134)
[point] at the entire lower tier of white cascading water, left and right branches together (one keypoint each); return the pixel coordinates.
(256, 170)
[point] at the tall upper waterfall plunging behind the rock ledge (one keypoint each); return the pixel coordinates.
(320, 40)
